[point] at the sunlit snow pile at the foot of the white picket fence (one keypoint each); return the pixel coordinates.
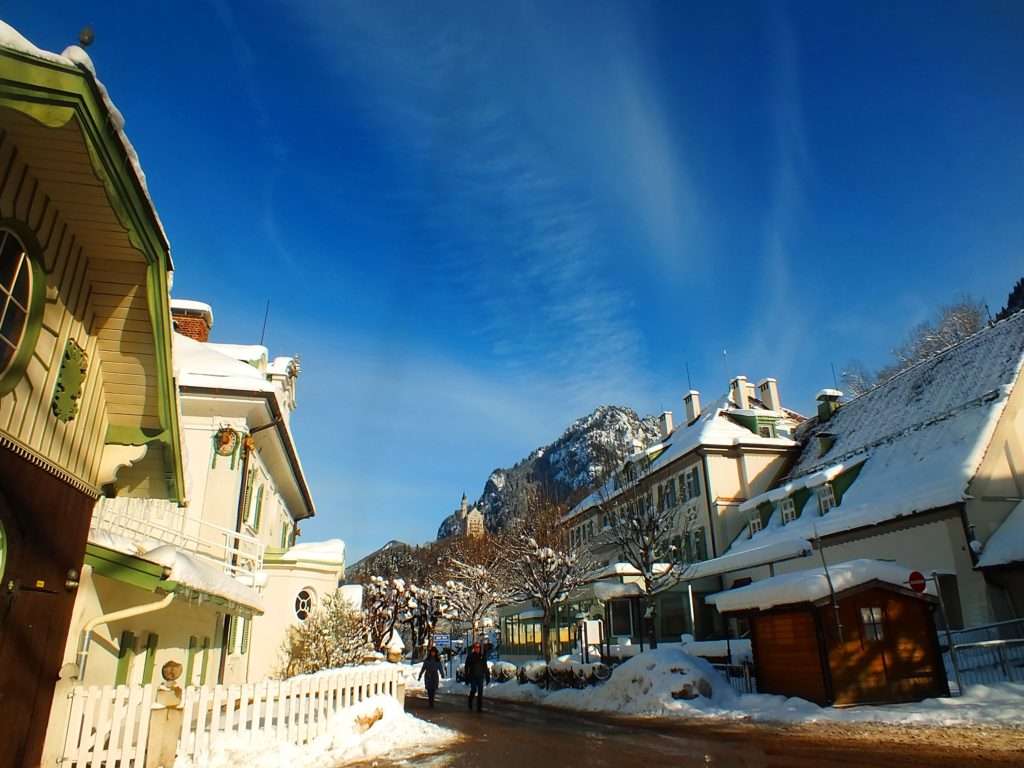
(376, 728)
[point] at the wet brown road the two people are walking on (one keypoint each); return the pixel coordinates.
(526, 737)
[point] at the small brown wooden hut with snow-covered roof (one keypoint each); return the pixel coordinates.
(857, 634)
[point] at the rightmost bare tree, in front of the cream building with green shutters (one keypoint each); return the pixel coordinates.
(641, 521)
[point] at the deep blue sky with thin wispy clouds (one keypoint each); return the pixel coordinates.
(479, 222)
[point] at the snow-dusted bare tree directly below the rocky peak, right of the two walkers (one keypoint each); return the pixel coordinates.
(543, 568)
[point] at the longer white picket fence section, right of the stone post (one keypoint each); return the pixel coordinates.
(297, 710)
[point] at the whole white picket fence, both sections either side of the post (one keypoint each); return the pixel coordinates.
(110, 727)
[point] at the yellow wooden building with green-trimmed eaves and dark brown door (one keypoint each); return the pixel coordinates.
(86, 356)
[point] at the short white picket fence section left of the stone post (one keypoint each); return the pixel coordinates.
(108, 727)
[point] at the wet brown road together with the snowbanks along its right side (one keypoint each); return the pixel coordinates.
(634, 719)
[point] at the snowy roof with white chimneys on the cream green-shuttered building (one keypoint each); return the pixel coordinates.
(714, 428)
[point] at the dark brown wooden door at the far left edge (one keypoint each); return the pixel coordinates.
(46, 525)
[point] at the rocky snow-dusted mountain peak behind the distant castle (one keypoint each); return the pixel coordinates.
(566, 468)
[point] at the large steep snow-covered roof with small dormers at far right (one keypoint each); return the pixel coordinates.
(920, 439)
